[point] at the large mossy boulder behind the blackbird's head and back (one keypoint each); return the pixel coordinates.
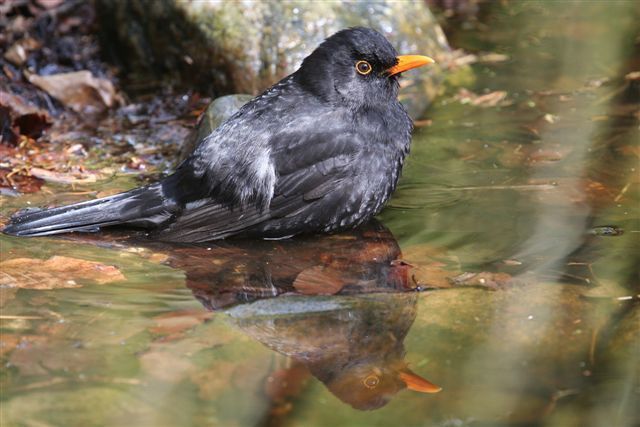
(244, 47)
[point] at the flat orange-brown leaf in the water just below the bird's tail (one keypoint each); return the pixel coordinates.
(55, 273)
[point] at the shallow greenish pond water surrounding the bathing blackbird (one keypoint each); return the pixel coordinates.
(527, 314)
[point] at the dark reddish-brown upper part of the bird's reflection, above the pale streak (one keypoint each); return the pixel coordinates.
(359, 261)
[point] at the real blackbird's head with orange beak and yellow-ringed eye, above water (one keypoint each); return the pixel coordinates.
(357, 66)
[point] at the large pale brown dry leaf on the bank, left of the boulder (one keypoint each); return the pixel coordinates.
(79, 90)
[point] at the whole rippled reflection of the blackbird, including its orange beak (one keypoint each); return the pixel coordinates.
(351, 341)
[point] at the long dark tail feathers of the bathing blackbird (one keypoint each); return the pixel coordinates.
(141, 207)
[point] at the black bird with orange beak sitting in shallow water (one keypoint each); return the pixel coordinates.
(318, 152)
